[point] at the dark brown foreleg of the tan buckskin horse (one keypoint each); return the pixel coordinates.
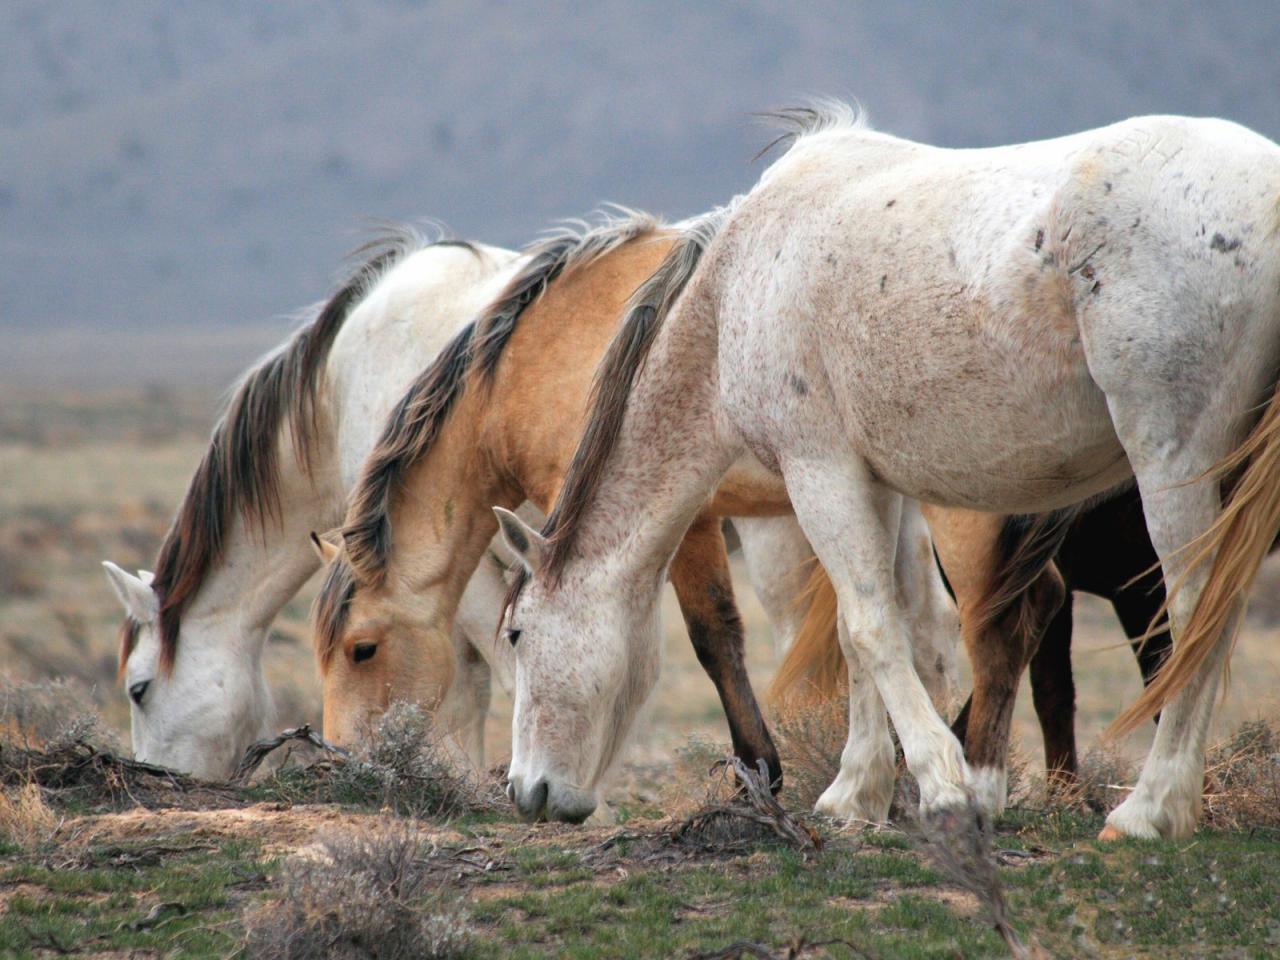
(701, 577)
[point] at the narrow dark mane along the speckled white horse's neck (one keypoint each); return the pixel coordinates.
(615, 378)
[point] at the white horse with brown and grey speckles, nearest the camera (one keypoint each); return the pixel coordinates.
(1017, 330)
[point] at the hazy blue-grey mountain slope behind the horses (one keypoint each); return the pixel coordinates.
(208, 164)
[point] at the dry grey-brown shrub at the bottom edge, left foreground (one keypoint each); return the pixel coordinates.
(360, 894)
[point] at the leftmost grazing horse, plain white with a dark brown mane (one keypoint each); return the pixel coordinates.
(280, 464)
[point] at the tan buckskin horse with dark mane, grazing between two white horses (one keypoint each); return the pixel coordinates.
(495, 420)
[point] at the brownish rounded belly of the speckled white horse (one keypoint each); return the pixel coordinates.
(984, 429)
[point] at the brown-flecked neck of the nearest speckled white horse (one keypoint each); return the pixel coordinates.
(673, 451)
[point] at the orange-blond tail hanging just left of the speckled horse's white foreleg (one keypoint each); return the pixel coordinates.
(815, 668)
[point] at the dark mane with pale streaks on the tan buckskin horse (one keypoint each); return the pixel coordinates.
(418, 419)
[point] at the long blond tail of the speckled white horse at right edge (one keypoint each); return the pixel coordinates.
(1238, 542)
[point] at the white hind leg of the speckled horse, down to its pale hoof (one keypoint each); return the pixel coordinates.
(1174, 431)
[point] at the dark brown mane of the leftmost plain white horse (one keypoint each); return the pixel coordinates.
(239, 472)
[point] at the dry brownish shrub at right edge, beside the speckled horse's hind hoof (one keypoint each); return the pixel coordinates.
(1242, 779)
